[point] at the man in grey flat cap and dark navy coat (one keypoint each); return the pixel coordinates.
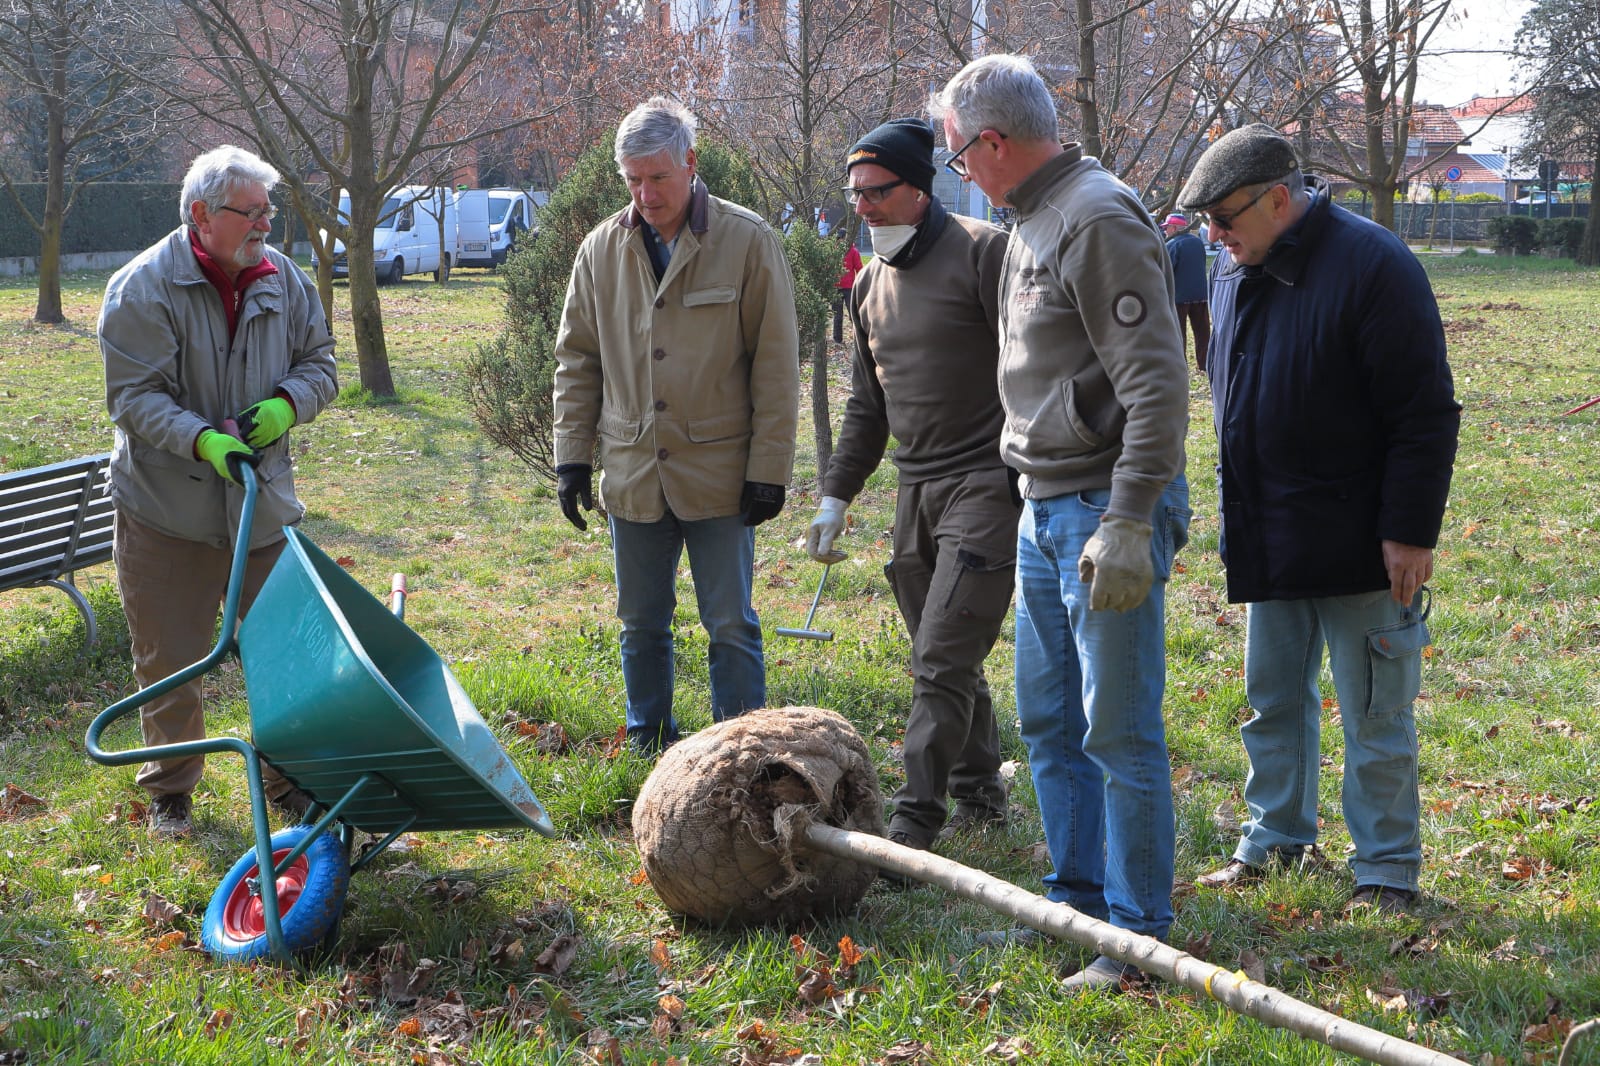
(1337, 433)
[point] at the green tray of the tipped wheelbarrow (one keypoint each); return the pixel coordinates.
(342, 689)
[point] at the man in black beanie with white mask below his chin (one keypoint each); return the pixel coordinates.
(926, 315)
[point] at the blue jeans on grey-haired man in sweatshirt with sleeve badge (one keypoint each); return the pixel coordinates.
(1089, 699)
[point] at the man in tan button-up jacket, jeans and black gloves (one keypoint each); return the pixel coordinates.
(681, 361)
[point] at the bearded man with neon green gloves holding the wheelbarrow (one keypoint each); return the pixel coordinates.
(207, 326)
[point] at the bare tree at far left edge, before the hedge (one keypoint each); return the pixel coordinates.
(89, 114)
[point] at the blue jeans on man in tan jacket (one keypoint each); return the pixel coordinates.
(722, 555)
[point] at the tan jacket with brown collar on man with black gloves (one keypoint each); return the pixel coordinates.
(690, 388)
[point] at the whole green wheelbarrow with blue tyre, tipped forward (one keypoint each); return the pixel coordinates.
(359, 713)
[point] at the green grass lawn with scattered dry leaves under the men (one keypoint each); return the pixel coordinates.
(441, 956)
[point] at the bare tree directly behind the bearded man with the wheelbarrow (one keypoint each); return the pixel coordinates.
(359, 94)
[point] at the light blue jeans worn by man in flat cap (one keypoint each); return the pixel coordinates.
(1284, 649)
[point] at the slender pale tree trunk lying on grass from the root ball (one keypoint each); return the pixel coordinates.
(1233, 990)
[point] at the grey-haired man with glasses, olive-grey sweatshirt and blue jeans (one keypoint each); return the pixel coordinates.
(1097, 403)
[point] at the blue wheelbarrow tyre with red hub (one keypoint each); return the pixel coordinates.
(311, 899)
